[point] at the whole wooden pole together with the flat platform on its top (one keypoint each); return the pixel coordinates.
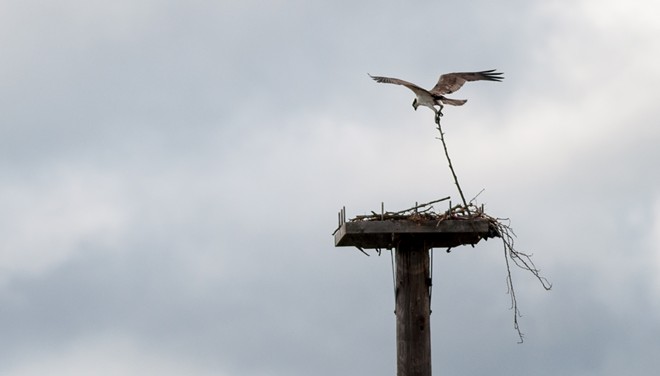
(413, 240)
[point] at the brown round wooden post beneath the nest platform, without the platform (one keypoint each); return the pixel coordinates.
(413, 325)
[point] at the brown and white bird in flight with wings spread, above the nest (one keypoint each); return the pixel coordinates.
(447, 84)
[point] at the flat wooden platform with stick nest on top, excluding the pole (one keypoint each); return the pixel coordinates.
(420, 224)
